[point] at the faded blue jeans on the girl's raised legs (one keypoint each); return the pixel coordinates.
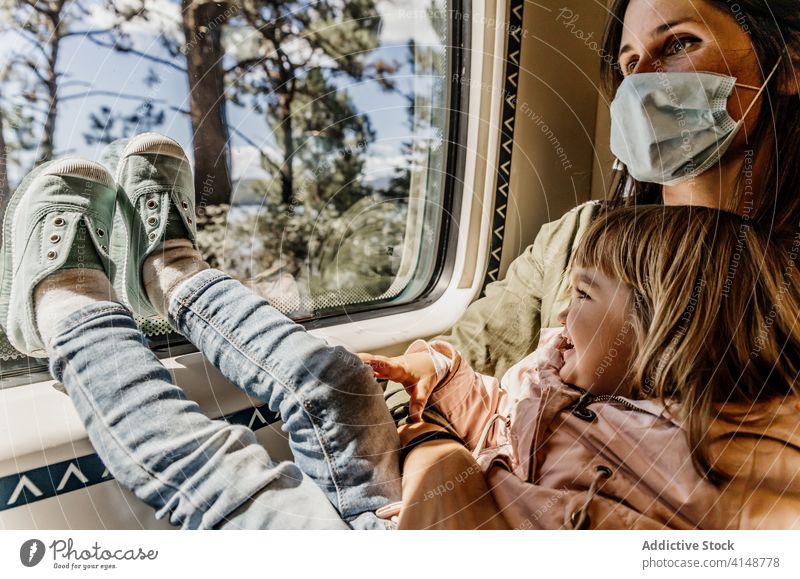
(210, 474)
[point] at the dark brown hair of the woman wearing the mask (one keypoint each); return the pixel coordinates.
(774, 29)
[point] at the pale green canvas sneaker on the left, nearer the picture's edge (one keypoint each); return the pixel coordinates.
(60, 217)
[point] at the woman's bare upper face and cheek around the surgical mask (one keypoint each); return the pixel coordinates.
(694, 35)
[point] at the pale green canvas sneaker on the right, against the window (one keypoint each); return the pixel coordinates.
(155, 202)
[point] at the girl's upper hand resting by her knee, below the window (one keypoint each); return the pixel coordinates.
(415, 372)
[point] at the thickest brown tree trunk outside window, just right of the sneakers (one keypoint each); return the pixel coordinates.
(202, 25)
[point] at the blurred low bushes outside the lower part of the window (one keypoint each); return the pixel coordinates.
(327, 254)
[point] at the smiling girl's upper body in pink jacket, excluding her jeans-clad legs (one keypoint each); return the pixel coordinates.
(668, 399)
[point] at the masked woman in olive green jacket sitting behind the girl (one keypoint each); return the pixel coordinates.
(758, 176)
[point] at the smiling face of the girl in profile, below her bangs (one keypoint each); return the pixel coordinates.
(598, 335)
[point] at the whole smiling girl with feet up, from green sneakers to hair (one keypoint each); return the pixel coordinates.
(691, 419)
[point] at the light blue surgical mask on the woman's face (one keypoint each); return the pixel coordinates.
(668, 127)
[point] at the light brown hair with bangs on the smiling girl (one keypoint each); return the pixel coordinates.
(715, 309)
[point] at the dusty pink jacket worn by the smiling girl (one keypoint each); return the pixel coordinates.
(555, 458)
